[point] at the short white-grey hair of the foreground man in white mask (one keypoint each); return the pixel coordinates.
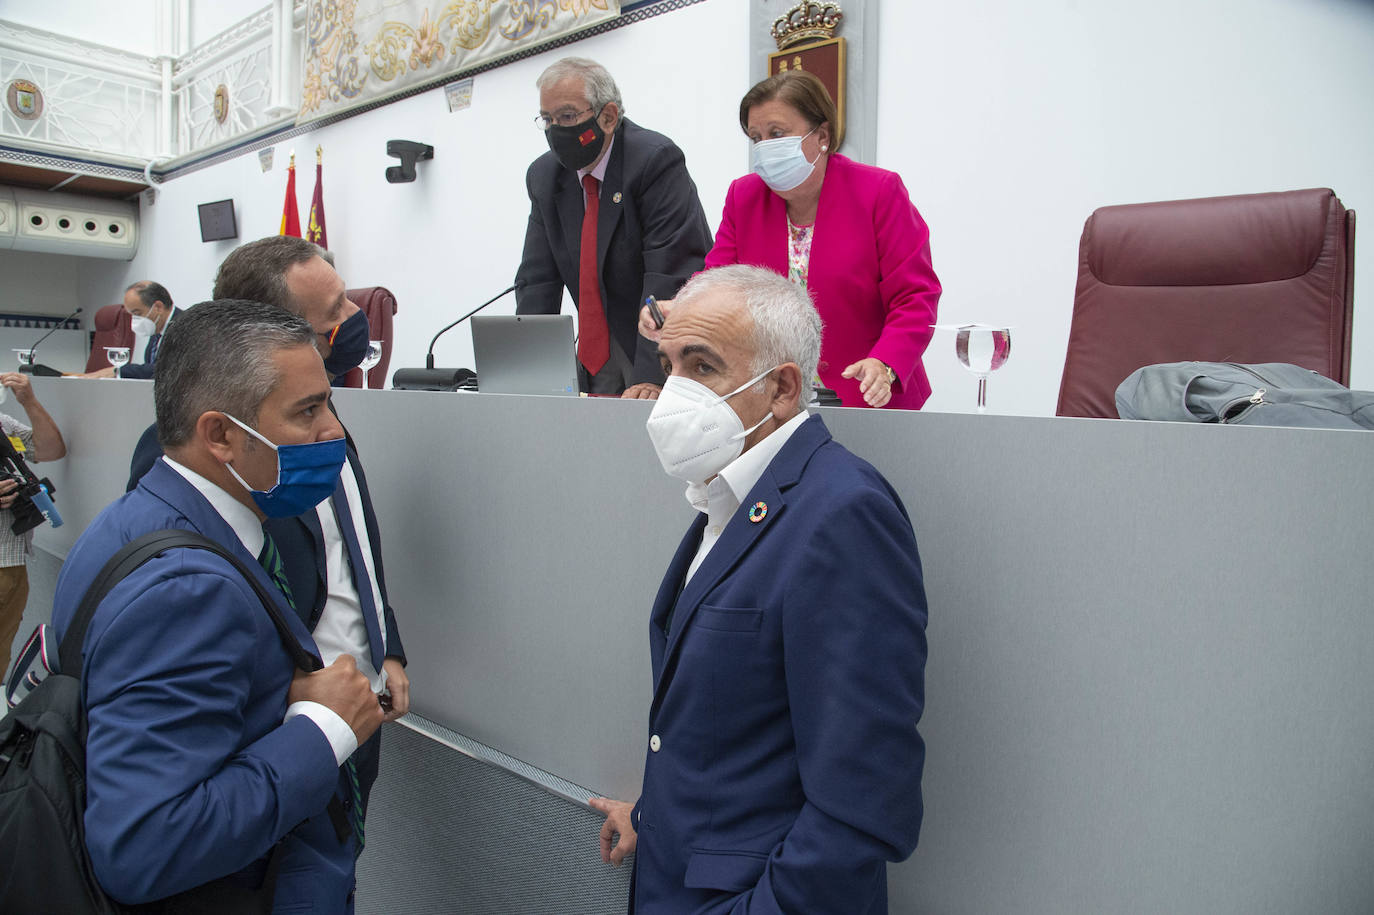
(787, 325)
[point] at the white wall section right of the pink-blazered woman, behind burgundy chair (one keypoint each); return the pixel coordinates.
(1013, 122)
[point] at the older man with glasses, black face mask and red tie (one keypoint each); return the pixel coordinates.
(613, 218)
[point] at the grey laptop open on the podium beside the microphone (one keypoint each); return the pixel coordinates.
(526, 355)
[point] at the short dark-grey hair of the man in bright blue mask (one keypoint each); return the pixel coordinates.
(218, 357)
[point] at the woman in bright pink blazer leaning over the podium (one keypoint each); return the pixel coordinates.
(844, 230)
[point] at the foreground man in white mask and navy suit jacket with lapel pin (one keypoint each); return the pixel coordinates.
(788, 638)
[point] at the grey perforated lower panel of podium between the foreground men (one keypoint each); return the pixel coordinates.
(451, 833)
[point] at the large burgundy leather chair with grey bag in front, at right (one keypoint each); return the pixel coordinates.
(1259, 278)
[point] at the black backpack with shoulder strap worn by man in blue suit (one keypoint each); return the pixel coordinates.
(45, 865)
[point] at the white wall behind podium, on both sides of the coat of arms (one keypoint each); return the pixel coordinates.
(1009, 122)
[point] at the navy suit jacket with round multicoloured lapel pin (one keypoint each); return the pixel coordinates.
(785, 767)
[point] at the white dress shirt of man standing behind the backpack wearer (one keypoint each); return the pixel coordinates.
(341, 629)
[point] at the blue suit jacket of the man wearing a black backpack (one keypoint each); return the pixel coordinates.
(192, 776)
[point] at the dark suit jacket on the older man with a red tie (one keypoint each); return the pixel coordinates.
(652, 236)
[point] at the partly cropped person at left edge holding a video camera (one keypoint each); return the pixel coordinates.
(42, 440)
